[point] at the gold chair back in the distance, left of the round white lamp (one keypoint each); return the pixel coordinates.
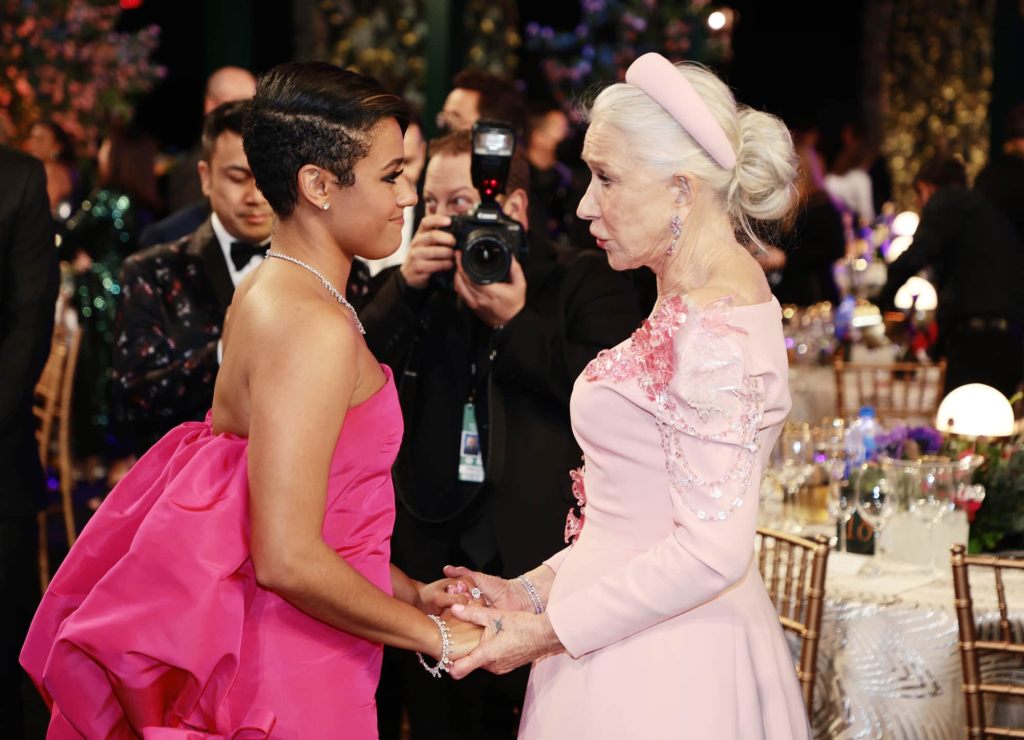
(898, 390)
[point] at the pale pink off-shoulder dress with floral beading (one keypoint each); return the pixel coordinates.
(669, 631)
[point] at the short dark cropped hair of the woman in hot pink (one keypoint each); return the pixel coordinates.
(317, 114)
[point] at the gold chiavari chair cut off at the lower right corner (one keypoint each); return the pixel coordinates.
(975, 687)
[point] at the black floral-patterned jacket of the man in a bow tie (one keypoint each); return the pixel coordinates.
(170, 320)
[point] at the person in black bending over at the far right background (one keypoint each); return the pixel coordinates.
(977, 265)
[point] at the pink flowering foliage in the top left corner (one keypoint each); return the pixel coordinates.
(65, 61)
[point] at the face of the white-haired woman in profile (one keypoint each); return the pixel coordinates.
(629, 206)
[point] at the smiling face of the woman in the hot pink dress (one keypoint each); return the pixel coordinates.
(367, 217)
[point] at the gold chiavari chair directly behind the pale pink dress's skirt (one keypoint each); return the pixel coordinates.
(794, 572)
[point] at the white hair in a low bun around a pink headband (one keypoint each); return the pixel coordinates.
(760, 189)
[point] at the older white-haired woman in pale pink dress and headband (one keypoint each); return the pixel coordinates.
(656, 624)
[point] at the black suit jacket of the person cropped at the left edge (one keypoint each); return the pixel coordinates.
(29, 280)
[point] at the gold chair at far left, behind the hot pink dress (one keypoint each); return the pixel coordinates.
(53, 407)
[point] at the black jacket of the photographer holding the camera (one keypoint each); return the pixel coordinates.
(576, 307)
